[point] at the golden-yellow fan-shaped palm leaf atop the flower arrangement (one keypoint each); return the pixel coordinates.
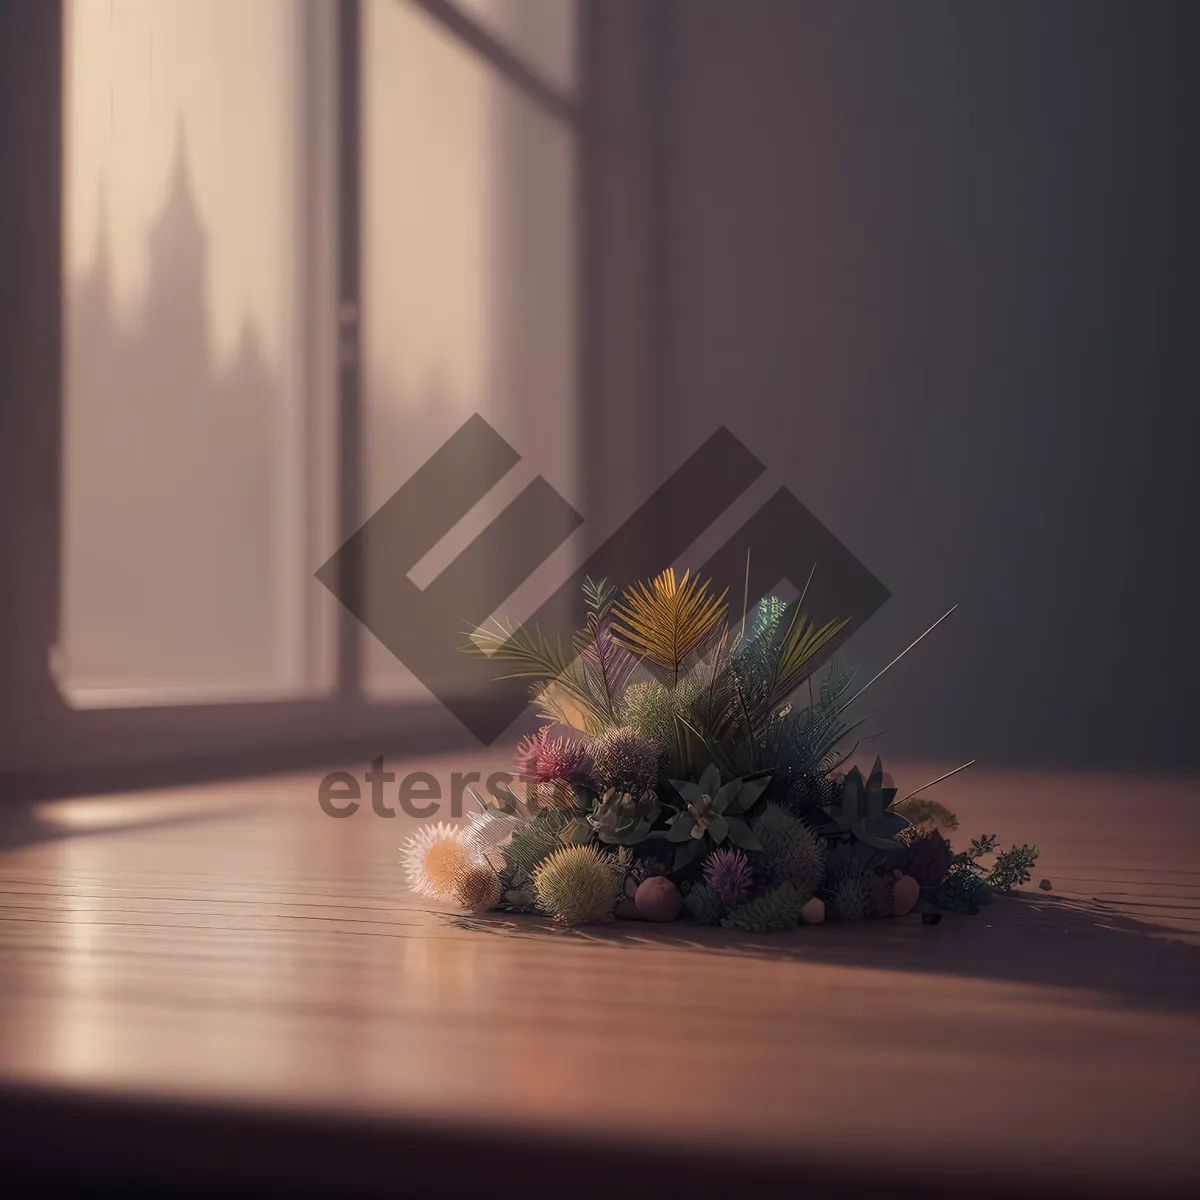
(667, 620)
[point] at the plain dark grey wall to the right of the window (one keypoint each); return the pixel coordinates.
(934, 262)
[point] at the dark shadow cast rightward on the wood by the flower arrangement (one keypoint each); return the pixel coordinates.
(1021, 939)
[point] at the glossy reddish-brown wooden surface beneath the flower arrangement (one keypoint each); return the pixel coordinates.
(226, 959)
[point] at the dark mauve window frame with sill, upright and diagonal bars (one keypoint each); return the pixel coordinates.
(50, 748)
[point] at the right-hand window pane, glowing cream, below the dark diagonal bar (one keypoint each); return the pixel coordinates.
(469, 279)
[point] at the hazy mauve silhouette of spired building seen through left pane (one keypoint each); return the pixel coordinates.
(173, 473)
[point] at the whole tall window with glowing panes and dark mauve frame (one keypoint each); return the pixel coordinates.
(301, 242)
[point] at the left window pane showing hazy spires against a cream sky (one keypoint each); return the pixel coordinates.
(197, 410)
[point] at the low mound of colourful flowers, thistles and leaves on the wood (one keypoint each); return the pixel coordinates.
(694, 769)
